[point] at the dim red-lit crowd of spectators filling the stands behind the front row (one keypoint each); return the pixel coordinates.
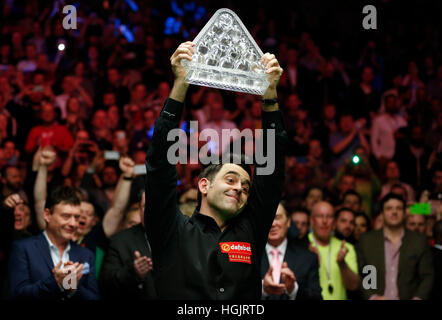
(362, 110)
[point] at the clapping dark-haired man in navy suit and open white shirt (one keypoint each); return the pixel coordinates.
(50, 265)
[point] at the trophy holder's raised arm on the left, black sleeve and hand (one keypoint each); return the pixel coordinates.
(161, 213)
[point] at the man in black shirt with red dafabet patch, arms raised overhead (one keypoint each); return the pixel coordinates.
(216, 253)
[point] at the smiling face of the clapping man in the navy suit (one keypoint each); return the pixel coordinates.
(62, 222)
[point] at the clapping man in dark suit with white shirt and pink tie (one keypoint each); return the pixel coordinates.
(289, 271)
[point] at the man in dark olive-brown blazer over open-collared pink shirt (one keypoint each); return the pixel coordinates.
(402, 258)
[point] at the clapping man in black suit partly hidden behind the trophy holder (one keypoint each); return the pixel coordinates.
(127, 264)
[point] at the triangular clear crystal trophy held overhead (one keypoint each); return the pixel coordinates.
(227, 57)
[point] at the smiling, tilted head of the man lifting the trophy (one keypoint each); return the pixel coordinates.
(226, 195)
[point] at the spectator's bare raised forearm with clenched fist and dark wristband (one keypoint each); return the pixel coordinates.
(114, 214)
